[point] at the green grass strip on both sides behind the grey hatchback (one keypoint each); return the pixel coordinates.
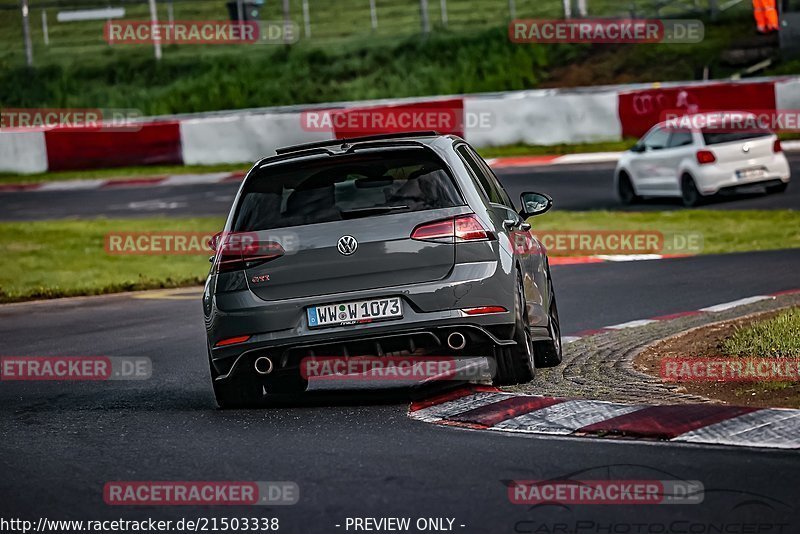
(66, 258)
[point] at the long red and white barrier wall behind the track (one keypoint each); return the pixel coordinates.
(540, 117)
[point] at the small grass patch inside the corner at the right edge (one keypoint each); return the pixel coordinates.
(778, 337)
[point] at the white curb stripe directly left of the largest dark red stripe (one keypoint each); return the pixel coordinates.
(567, 417)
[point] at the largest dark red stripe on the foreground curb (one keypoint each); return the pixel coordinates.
(666, 422)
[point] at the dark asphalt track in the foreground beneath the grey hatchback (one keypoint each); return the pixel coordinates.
(355, 453)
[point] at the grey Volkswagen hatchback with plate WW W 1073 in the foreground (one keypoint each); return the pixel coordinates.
(397, 245)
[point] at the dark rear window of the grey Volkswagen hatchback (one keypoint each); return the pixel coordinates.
(345, 187)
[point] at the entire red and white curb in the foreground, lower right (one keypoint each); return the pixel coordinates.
(715, 424)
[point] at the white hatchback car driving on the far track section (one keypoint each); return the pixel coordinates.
(696, 163)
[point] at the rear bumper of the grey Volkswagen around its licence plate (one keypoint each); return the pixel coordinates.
(431, 310)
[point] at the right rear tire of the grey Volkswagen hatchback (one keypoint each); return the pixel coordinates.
(515, 363)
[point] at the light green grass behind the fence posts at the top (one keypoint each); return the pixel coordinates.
(336, 23)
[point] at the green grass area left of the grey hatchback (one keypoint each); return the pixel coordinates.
(67, 258)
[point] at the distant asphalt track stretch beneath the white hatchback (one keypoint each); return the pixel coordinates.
(574, 187)
